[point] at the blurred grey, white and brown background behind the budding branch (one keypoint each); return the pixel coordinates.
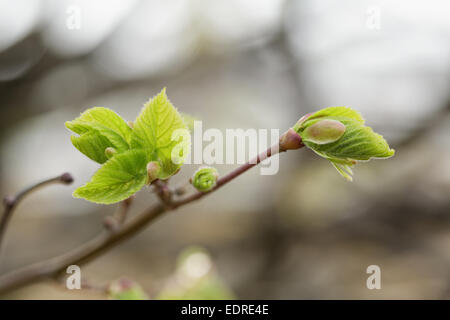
(304, 233)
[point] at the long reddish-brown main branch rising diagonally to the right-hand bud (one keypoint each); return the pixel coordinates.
(53, 267)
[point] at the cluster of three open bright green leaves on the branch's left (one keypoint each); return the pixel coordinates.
(159, 135)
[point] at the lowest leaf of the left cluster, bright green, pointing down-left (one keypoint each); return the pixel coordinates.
(119, 178)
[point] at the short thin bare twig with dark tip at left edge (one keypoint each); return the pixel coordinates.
(11, 202)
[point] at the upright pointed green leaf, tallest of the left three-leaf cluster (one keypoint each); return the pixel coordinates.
(157, 130)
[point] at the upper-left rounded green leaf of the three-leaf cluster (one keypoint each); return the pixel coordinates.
(99, 128)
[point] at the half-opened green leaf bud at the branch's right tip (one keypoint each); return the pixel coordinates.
(323, 133)
